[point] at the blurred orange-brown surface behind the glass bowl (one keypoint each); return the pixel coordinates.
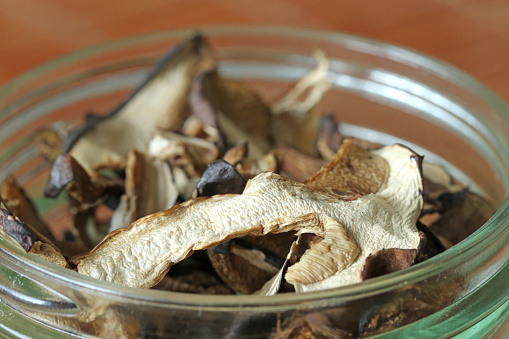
(472, 35)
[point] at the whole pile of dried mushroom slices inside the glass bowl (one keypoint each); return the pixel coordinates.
(212, 190)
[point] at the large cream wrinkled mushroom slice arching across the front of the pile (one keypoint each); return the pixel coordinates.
(141, 254)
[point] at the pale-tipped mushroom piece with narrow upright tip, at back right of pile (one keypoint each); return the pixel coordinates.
(296, 117)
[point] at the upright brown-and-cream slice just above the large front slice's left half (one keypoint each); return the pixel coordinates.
(149, 188)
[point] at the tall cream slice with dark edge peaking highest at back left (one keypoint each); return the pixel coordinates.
(159, 102)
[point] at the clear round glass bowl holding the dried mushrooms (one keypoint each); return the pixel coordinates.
(381, 92)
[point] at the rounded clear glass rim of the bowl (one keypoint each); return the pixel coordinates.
(495, 227)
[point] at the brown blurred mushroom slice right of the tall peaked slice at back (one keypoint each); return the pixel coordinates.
(235, 109)
